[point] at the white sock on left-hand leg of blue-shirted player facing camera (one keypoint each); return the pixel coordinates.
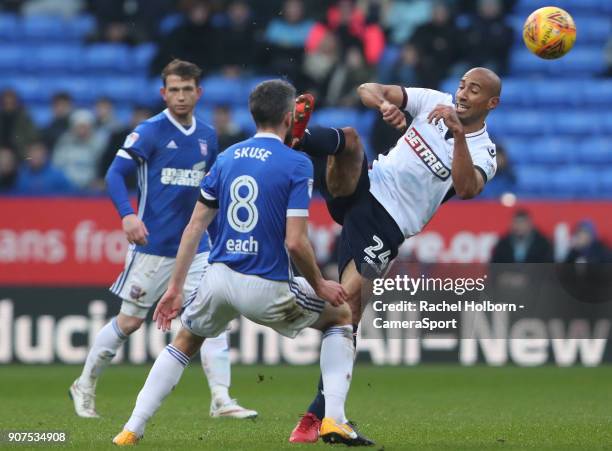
(105, 346)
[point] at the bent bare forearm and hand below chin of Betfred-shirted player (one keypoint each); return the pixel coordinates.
(467, 180)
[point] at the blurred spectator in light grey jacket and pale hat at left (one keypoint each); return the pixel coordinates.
(79, 150)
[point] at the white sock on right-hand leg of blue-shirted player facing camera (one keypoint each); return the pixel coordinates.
(216, 364)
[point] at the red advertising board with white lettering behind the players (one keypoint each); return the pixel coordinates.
(67, 242)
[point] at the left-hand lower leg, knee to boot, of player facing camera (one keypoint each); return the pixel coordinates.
(110, 338)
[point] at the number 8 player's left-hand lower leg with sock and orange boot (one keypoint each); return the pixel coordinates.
(163, 377)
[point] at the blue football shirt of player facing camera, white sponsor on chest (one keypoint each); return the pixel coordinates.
(172, 161)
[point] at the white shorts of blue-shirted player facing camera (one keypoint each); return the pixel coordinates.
(145, 279)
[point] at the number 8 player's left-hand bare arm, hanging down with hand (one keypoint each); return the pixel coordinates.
(171, 302)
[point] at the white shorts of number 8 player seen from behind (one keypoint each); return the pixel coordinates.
(224, 294)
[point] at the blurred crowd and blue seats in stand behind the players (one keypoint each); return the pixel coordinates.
(78, 75)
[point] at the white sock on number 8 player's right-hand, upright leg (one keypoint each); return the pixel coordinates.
(337, 369)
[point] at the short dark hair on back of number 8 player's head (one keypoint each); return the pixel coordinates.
(270, 101)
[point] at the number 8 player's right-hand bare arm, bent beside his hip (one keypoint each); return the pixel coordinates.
(302, 254)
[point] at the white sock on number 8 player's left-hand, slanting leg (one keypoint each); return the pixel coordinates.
(163, 377)
